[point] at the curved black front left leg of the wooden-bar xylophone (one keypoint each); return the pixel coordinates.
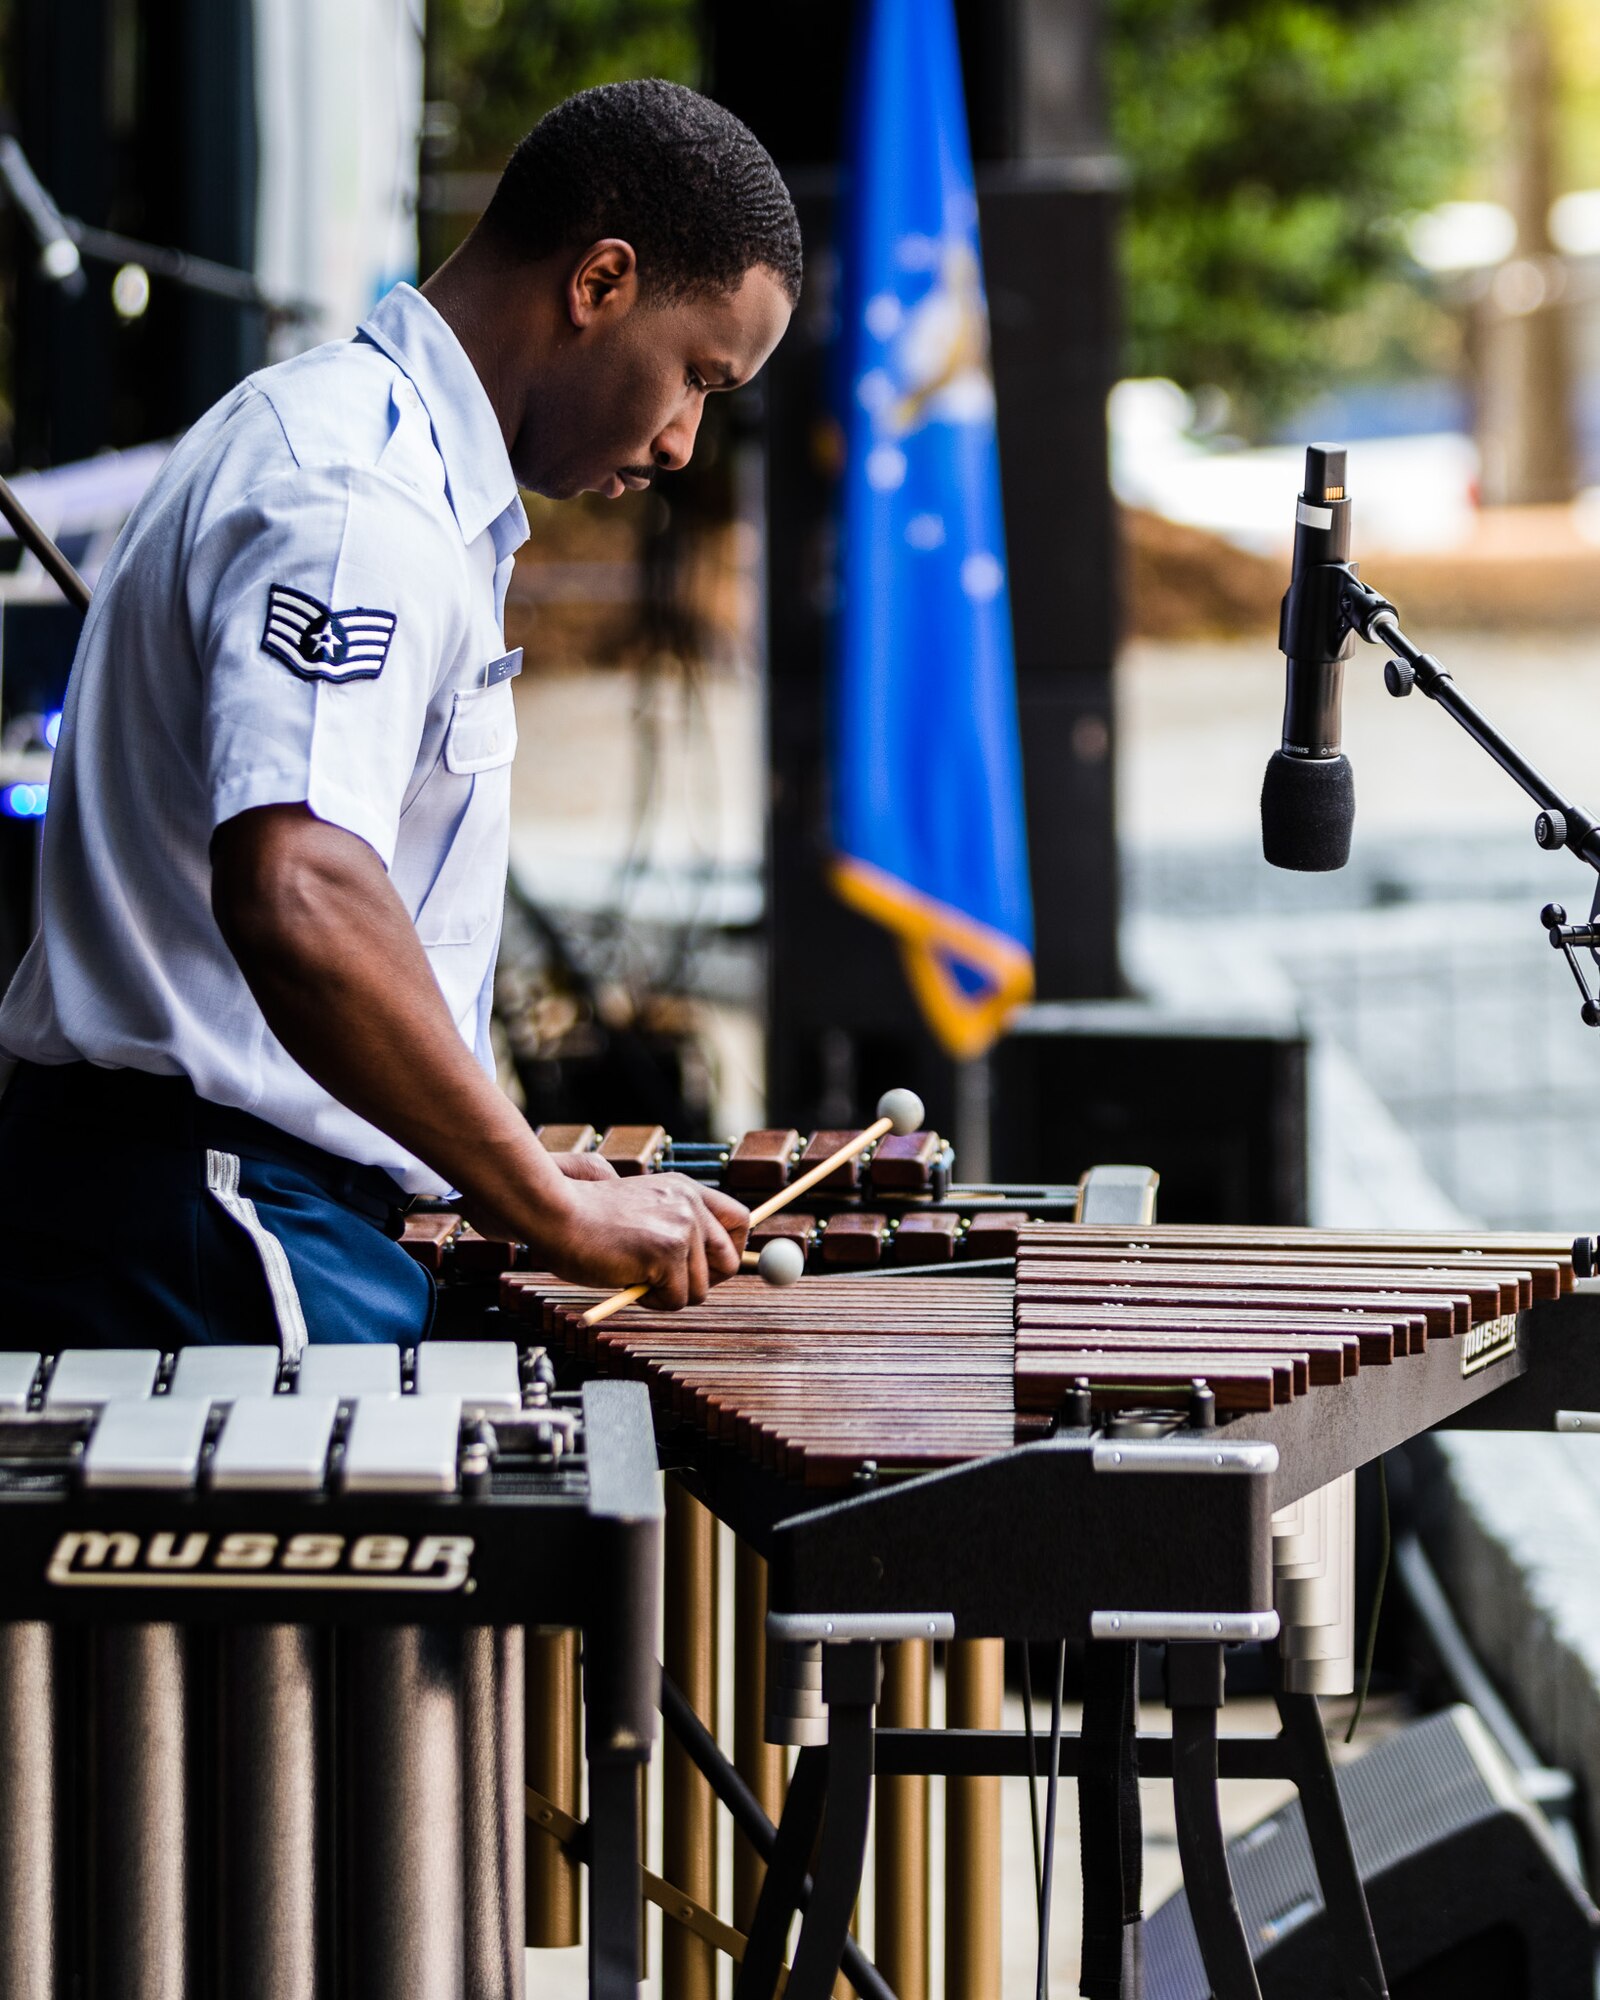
(851, 1687)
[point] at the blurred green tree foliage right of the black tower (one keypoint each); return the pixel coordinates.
(1273, 149)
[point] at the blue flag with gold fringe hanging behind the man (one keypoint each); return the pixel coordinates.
(927, 765)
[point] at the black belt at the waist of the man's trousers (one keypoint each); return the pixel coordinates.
(169, 1115)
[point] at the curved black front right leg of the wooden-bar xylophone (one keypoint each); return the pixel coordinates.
(1195, 1697)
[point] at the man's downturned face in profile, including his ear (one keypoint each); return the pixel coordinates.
(627, 393)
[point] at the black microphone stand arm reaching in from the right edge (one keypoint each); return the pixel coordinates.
(1561, 823)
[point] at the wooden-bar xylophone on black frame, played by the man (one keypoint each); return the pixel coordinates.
(1149, 1435)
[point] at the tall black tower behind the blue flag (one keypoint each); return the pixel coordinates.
(843, 1021)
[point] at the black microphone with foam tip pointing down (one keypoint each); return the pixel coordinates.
(1309, 797)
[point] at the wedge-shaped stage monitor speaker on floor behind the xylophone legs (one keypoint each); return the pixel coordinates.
(1465, 1883)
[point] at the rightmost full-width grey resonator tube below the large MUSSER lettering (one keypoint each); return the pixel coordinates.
(405, 1813)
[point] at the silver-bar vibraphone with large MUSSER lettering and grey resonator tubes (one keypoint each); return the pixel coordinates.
(261, 1673)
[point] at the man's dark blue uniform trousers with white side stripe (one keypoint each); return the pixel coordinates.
(133, 1213)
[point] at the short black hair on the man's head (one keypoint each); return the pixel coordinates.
(661, 167)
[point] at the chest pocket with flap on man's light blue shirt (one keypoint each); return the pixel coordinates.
(471, 811)
